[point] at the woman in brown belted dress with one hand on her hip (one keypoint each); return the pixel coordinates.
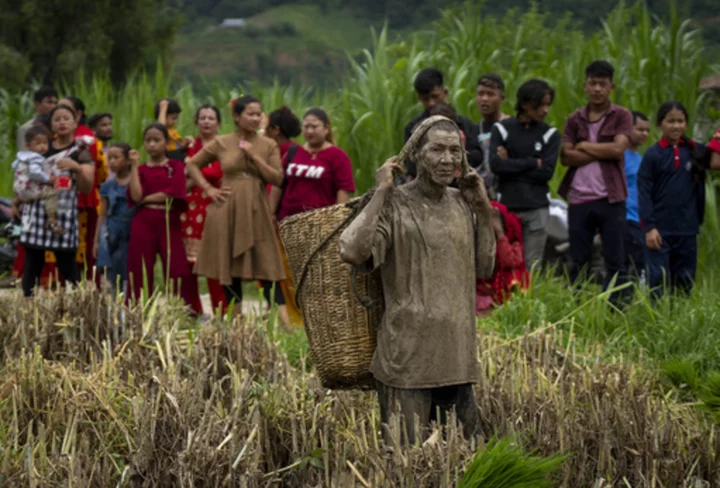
(239, 241)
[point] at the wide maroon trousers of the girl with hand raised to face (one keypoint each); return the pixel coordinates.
(151, 236)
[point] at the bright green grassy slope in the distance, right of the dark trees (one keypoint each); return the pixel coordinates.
(291, 43)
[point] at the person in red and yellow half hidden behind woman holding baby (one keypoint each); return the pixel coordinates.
(88, 205)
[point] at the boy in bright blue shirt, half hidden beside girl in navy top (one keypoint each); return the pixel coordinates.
(635, 250)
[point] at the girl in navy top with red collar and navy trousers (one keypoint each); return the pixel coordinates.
(671, 187)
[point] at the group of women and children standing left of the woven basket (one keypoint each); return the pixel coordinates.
(205, 205)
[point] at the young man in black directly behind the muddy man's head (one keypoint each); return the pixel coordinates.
(430, 88)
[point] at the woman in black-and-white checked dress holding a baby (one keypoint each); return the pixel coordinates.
(71, 165)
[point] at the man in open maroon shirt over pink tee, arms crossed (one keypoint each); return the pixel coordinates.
(593, 147)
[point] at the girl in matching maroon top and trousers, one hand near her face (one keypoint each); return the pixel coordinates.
(158, 188)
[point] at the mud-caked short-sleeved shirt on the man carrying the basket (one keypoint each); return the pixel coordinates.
(428, 253)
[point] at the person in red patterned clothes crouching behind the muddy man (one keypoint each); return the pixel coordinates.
(510, 269)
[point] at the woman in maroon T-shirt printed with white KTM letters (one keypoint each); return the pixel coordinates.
(320, 173)
